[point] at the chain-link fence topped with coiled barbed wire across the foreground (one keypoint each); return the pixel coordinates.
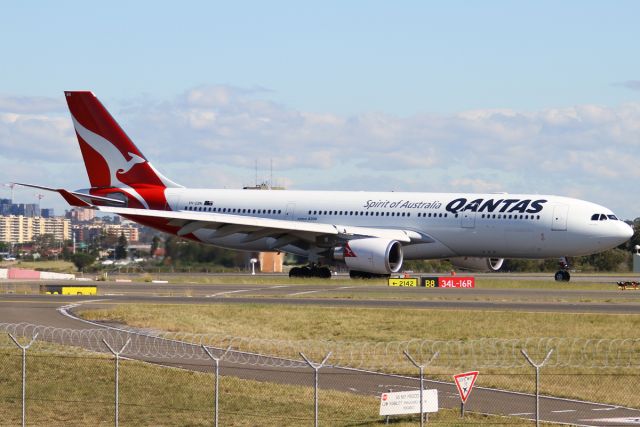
(71, 377)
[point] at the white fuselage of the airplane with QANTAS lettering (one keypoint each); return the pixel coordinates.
(454, 224)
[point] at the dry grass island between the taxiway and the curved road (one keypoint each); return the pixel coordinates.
(257, 324)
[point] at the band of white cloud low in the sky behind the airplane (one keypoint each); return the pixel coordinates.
(212, 135)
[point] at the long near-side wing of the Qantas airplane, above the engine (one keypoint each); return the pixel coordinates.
(256, 227)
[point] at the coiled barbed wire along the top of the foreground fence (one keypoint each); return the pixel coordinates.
(384, 356)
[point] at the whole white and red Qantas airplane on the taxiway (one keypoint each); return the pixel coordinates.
(371, 233)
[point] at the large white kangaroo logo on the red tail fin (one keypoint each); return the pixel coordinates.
(116, 162)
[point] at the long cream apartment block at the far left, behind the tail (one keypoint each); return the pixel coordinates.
(22, 229)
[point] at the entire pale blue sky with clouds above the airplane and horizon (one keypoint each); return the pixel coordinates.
(526, 96)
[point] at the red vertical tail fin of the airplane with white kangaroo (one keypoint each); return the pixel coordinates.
(112, 160)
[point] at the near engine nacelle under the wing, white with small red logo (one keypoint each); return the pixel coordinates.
(373, 255)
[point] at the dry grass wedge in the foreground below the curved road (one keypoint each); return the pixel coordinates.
(78, 390)
